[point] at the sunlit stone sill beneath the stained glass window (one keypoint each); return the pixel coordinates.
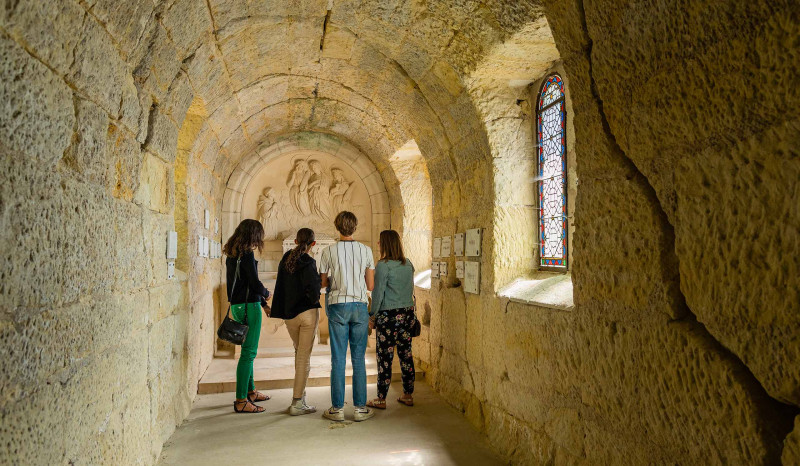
(544, 289)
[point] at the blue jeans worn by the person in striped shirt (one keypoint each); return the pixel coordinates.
(348, 322)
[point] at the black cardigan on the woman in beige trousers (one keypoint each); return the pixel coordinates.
(296, 292)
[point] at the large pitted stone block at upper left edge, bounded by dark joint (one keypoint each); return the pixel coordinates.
(37, 115)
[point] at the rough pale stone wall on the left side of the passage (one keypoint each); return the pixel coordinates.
(94, 336)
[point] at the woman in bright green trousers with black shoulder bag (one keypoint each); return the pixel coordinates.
(247, 296)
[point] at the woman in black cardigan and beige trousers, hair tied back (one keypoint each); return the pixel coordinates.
(296, 300)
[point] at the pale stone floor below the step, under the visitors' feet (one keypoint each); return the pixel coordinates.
(430, 433)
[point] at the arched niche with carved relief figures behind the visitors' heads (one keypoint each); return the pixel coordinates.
(311, 177)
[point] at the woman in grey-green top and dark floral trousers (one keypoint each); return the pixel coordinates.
(392, 315)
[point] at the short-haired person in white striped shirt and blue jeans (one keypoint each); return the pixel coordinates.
(347, 269)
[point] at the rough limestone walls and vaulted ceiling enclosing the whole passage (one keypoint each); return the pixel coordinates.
(122, 120)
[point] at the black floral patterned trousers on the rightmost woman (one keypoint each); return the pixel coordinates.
(394, 329)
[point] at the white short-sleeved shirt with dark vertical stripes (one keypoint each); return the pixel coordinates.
(346, 262)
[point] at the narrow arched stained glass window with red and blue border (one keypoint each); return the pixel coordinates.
(552, 178)
